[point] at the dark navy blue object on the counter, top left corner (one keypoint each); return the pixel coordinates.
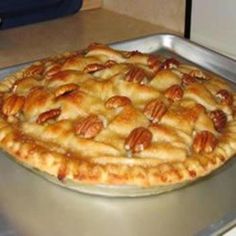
(21, 12)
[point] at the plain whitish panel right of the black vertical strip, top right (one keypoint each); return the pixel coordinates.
(214, 25)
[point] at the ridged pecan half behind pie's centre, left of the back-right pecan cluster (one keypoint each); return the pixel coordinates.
(136, 75)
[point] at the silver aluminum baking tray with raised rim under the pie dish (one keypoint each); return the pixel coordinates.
(35, 207)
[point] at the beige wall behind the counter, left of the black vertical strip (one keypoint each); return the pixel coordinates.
(167, 13)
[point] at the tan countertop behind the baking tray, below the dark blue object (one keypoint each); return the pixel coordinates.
(70, 33)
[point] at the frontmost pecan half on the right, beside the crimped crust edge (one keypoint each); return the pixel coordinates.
(204, 141)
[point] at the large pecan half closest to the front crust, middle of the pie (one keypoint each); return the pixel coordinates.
(138, 140)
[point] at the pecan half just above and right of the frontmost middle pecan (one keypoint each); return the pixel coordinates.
(154, 110)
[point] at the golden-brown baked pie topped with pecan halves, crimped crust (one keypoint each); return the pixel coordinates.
(101, 116)
